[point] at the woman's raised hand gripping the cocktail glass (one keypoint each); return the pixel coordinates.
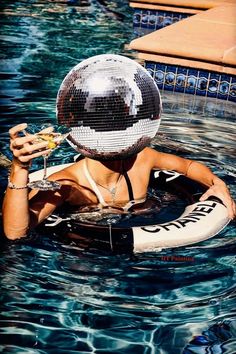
(25, 148)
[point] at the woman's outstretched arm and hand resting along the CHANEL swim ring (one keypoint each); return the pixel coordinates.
(197, 172)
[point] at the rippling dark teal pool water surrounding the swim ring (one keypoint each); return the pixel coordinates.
(57, 297)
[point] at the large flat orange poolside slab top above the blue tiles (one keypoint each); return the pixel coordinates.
(208, 36)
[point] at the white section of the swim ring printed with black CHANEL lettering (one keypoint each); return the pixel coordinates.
(199, 222)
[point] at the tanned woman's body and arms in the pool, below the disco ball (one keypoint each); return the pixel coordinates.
(89, 182)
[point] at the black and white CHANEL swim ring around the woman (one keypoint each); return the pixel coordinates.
(199, 221)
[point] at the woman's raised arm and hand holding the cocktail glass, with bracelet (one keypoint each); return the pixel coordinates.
(16, 212)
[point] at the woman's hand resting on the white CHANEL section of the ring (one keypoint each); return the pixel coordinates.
(220, 190)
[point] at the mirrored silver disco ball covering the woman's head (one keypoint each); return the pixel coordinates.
(112, 105)
